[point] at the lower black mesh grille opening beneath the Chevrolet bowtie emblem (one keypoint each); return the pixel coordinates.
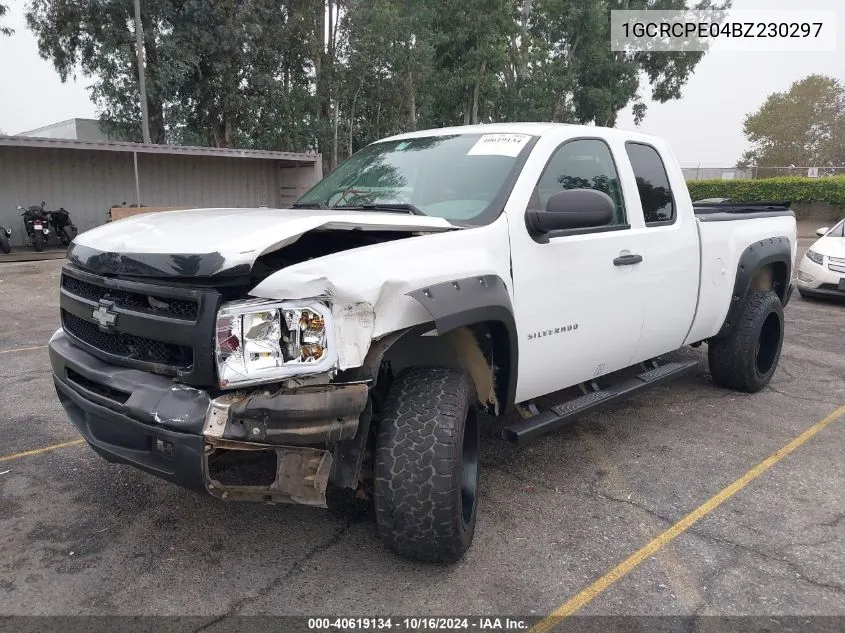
(127, 345)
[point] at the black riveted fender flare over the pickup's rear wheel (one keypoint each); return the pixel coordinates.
(762, 253)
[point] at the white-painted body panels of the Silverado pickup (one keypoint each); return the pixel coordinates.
(679, 294)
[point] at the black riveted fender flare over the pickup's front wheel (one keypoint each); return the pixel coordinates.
(480, 298)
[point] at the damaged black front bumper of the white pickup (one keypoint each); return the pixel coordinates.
(183, 434)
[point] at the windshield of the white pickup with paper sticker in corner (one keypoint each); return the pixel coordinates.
(455, 177)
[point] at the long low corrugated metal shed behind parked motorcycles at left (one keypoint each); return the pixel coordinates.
(89, 177)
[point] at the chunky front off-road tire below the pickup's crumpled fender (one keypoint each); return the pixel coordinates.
(427, 465)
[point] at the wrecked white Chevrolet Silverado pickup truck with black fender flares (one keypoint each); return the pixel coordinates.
(348, 347)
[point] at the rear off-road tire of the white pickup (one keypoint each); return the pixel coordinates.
(747, 358)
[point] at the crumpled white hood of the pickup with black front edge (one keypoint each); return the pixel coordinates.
(205, 242)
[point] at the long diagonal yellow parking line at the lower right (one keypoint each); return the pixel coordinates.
(586, 595)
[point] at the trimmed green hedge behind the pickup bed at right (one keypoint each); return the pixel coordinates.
(794, 188)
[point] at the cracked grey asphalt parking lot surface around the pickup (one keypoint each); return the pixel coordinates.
(81, 536)
